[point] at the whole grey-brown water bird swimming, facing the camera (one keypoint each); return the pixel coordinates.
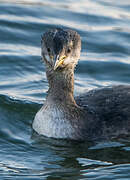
(98, 114)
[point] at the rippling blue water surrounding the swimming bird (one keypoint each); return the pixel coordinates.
(104, 26)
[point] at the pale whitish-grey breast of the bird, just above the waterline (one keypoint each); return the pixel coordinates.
(51, 122)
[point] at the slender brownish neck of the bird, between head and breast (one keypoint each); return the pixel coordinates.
(61, 86)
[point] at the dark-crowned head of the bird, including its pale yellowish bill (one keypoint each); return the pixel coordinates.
(60, 49)
